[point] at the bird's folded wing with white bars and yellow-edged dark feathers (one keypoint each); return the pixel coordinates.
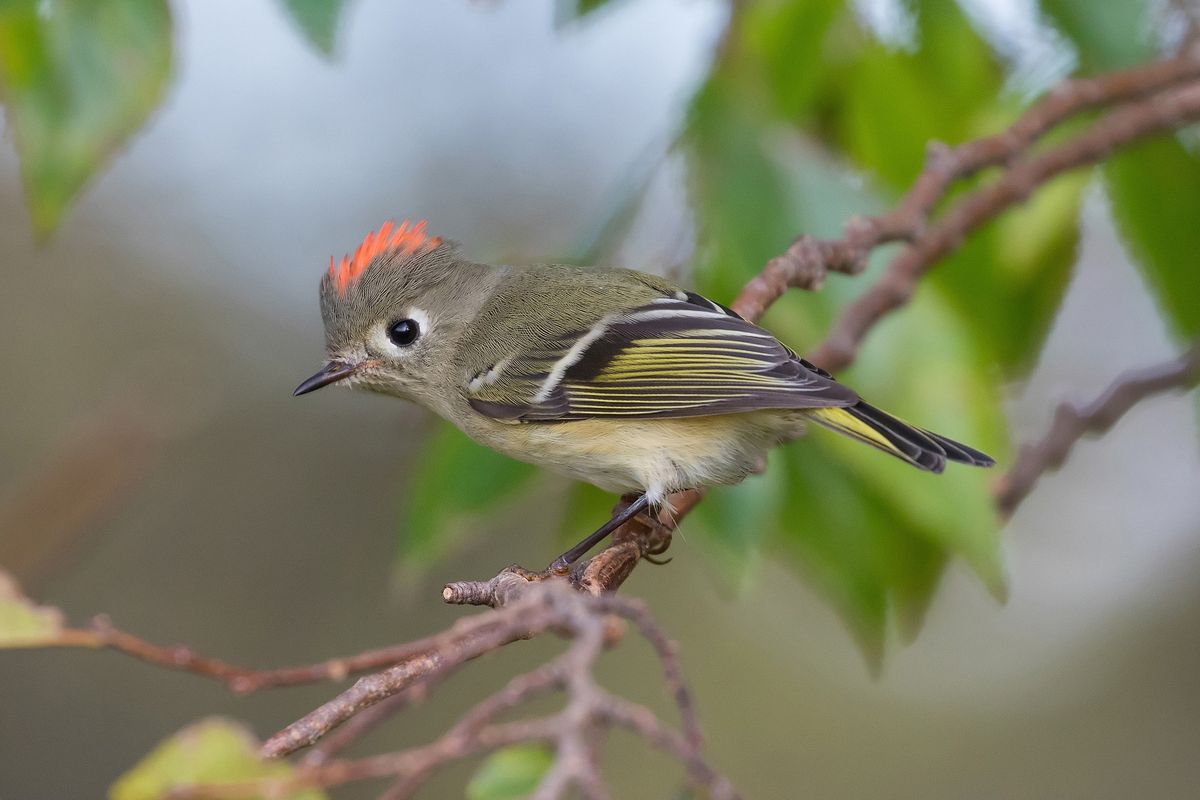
(681, 356)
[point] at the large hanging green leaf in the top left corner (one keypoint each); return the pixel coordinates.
(77, 80)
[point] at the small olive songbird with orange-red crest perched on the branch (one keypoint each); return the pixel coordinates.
(609, 376)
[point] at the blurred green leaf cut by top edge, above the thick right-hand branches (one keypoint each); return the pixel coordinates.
(1107, 35)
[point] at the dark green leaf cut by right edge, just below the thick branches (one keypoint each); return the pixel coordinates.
(1155, 190)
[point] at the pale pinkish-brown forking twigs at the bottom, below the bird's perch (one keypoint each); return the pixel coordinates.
(590, 711)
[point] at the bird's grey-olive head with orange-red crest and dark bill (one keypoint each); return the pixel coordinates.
(395, 311)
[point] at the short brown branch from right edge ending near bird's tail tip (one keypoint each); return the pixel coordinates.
(1072, 424)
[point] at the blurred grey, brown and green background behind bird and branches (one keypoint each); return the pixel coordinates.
(157, 468)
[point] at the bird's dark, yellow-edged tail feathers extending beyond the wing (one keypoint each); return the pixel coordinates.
(915, 446)
